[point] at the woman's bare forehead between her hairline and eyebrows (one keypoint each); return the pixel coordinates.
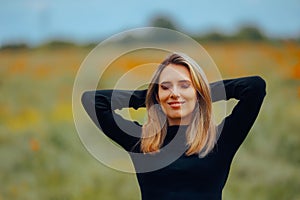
(173, 73)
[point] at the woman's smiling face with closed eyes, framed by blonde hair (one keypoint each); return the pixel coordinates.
(176, 94)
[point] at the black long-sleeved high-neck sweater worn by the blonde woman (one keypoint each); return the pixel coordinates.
(188, 177)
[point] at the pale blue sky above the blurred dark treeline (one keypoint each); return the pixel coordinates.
(36, 21)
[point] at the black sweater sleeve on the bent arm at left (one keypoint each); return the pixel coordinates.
(101, 105)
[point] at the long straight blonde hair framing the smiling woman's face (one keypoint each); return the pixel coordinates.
(201, 133)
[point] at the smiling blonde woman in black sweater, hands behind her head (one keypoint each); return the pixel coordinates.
(179, 103)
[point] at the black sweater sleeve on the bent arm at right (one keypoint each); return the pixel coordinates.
(250, 92)
